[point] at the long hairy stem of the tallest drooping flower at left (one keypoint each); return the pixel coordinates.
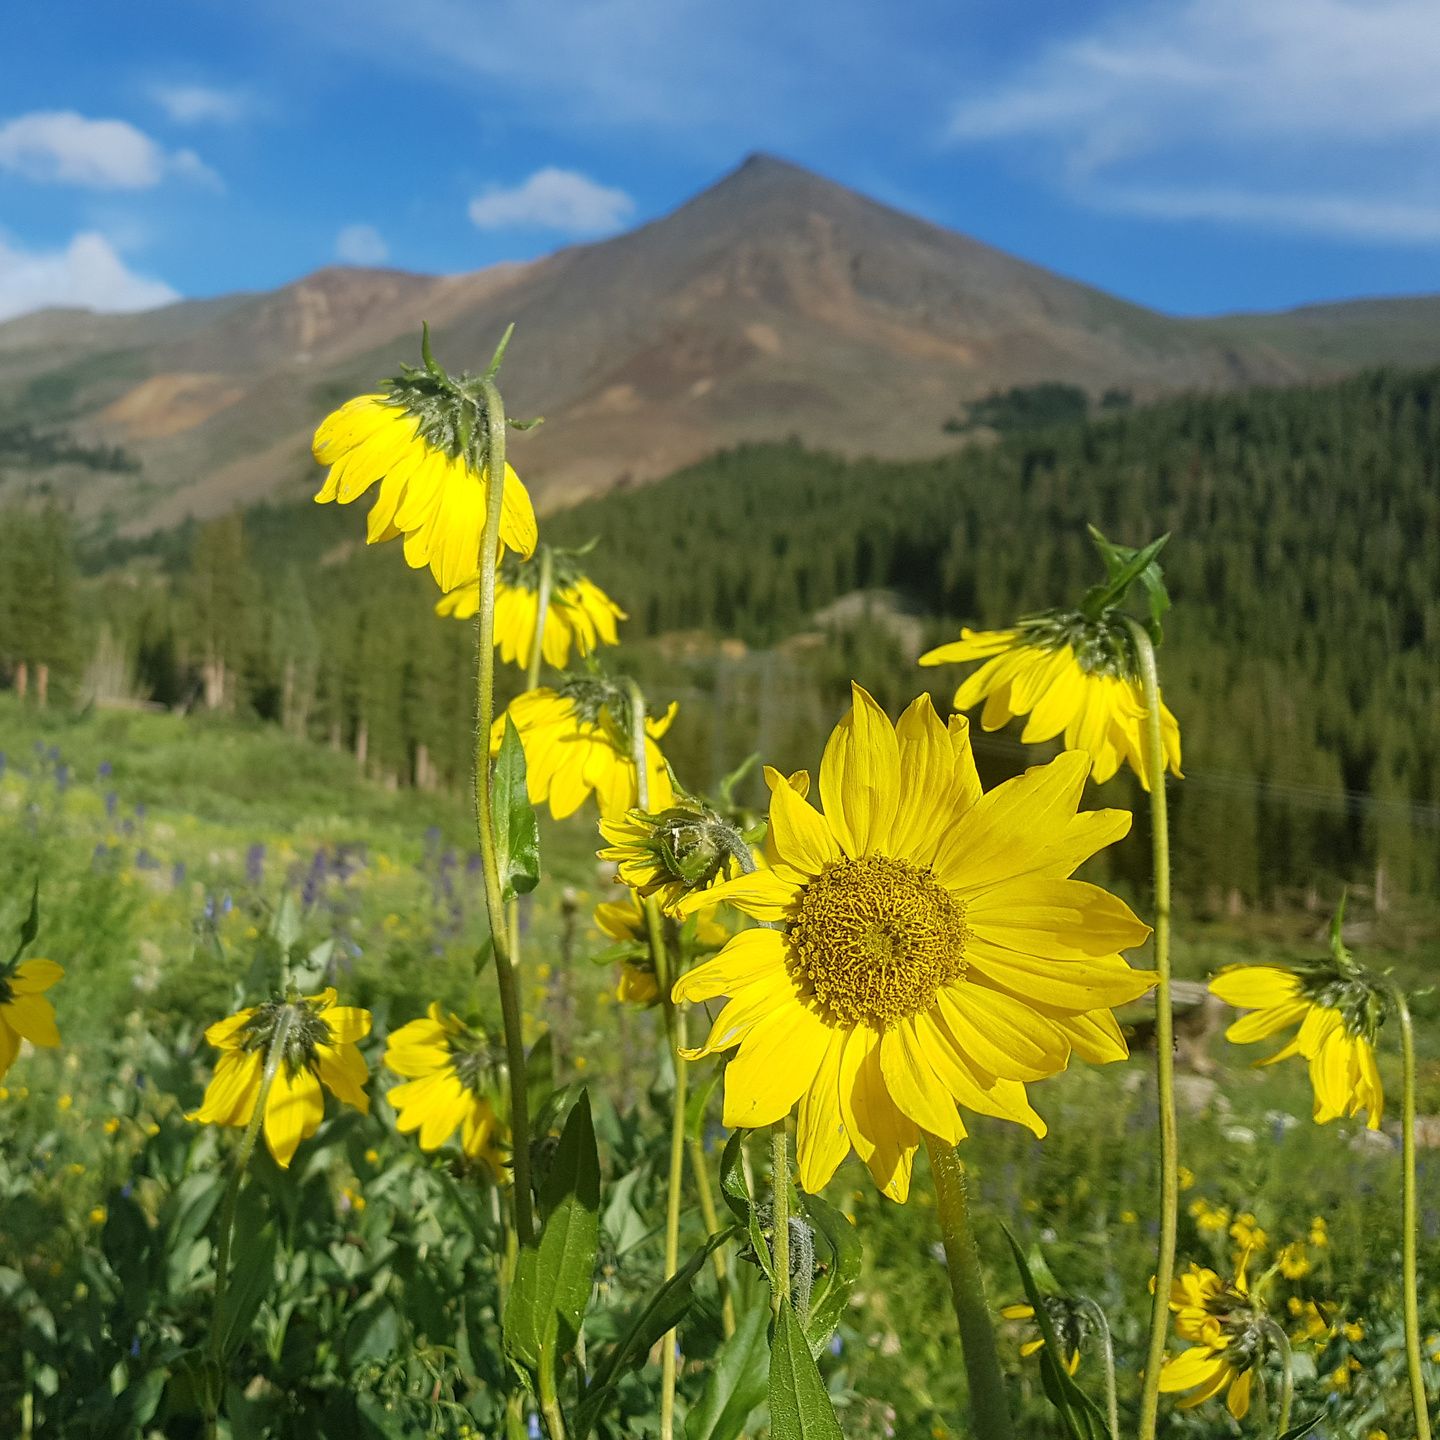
(486, 822)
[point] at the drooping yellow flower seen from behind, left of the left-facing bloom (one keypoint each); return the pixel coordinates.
(320, 1046)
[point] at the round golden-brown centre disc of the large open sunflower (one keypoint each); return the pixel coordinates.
(876, 938)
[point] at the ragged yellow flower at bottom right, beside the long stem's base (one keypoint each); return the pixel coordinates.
(1226, 1330)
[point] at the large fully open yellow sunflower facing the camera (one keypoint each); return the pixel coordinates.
(934, 951)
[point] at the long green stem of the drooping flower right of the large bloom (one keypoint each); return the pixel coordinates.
(1164, 1032)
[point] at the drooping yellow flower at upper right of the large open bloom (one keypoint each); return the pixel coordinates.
(1099, 708)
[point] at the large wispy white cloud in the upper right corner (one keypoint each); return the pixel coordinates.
(1317, 116)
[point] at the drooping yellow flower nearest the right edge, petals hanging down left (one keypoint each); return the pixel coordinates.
(1343, 1061)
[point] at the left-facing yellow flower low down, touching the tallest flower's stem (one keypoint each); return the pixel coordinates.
(449, 1068)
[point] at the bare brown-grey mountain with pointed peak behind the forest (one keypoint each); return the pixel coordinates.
(774, 305)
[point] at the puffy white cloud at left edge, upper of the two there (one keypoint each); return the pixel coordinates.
(63, 148)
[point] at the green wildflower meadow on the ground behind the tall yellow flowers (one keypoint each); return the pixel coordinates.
(178, 853)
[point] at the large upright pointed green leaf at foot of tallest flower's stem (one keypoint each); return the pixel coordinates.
(554, 1277)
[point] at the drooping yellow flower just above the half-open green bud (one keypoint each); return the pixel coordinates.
(575, 745)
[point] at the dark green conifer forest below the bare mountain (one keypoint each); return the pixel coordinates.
(1302, 657)
